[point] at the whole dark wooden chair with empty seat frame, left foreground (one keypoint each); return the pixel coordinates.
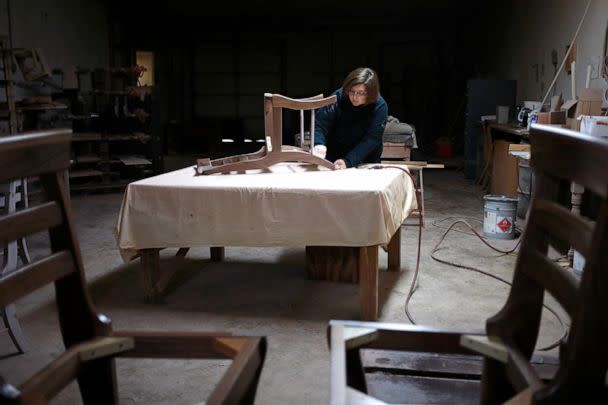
(91, 344)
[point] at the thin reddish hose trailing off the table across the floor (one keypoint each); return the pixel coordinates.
(414, 284)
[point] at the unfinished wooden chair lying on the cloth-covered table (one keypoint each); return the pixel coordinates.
(273, 151)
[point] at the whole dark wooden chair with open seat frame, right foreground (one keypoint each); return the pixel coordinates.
(373, 362)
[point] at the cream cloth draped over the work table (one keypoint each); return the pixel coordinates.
(286, 206)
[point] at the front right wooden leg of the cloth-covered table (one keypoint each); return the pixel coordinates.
(368, 282)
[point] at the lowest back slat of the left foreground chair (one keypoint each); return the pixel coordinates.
(35, 275)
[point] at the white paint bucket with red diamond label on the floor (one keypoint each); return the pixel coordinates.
(499, 216)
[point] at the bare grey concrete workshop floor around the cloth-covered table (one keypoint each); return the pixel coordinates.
(263, 291)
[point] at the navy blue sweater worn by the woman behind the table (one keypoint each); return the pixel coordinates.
(351, 133)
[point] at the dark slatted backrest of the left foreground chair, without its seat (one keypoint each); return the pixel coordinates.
(45, 155)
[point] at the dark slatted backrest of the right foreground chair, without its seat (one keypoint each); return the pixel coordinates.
(559, 158)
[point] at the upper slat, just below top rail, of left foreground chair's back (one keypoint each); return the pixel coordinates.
(30, 220)
